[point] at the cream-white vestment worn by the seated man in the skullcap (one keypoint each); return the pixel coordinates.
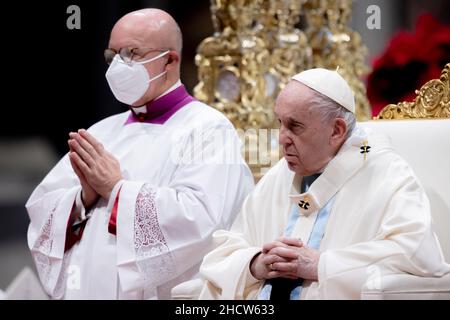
(379, 224)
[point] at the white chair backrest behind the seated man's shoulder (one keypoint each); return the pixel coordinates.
(425, 145)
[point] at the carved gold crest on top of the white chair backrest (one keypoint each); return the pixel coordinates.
(432, 101)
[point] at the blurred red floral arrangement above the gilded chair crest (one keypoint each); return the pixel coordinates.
(411, 59)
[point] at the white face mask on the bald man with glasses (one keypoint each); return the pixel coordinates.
(129, 82)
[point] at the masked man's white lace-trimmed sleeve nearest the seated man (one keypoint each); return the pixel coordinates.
(164, 231)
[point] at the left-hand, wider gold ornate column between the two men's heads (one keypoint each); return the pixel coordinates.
(254, 51)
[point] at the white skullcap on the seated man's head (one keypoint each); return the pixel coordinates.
(329, 83)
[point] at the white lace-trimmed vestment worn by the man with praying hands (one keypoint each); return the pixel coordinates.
(167, 210)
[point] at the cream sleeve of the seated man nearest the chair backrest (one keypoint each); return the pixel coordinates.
(405, 243)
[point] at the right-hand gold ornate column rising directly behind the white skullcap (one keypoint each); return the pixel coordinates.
(335, 45)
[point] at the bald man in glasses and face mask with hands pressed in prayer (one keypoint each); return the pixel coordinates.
(129, 212)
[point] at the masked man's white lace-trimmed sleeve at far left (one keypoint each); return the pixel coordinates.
(49, 208)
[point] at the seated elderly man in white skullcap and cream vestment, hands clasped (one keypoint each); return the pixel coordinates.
(340, 209)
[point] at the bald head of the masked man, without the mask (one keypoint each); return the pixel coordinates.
(150, 32)
